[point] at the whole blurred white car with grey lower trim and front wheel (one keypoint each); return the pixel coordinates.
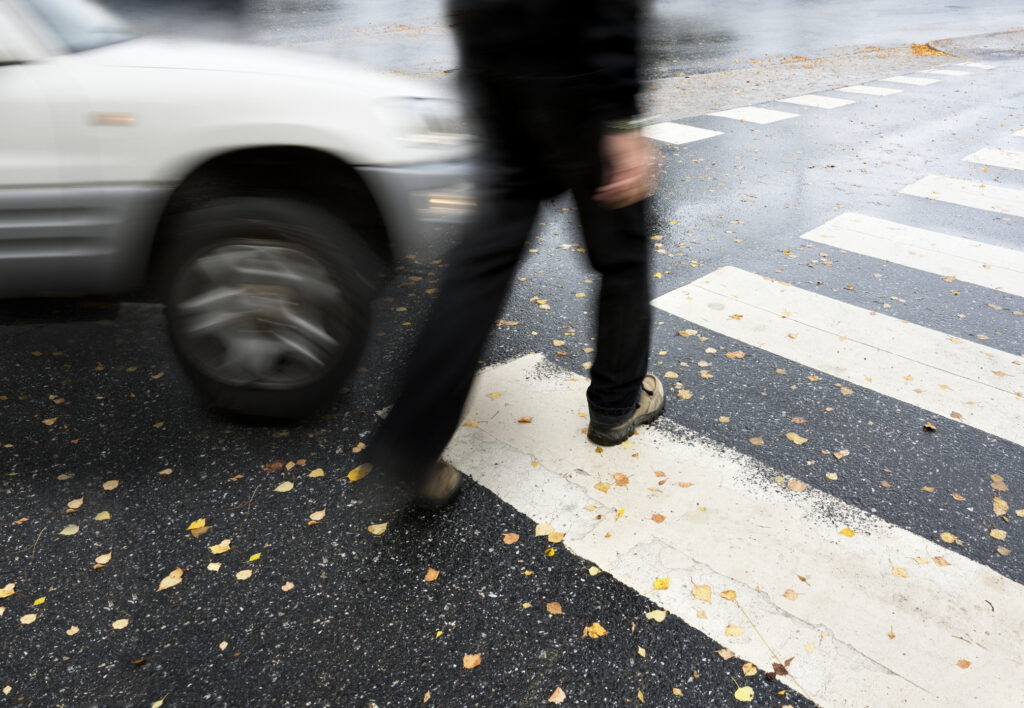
(261, 190)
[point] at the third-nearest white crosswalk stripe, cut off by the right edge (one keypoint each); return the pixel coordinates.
(971, 262)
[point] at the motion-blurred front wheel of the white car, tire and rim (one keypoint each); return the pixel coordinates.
(268, 304)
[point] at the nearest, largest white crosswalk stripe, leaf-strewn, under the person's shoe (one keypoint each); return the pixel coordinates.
(736, 529)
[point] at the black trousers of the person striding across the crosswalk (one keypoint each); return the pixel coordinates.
(531, 158)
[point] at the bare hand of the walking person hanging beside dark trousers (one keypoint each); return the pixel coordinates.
(629, 172)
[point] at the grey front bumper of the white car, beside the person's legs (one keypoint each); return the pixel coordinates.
(417, 200)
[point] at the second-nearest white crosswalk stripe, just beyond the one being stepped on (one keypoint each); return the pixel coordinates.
(920, 366)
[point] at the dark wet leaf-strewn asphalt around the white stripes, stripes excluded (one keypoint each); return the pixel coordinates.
(359, 626)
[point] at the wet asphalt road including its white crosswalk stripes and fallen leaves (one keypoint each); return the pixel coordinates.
(836, 486)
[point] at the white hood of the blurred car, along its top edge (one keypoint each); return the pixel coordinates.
(158, 53)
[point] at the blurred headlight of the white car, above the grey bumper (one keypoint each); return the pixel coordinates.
(428, 122)
